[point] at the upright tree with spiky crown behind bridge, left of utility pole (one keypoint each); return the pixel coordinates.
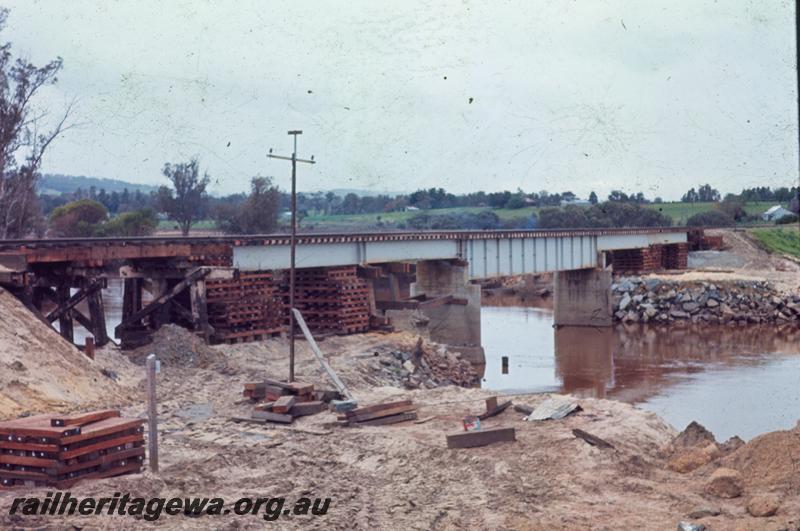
(186, 201)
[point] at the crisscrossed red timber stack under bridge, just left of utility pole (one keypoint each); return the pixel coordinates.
(245, 308)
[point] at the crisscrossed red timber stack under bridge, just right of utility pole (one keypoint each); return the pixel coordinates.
(333, 300)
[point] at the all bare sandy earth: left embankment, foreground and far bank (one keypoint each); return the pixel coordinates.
(388, 477)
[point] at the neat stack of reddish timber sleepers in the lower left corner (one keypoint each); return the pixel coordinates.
(59, 450)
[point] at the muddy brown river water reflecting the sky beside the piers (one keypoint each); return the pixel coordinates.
(734, 380)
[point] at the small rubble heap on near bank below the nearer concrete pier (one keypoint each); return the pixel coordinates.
(426, 368)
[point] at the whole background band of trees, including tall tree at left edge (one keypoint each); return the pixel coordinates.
(24, 139)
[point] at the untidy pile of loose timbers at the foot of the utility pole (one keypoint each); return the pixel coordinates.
(283, 402)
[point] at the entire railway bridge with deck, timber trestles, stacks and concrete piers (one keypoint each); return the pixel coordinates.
(232, 288)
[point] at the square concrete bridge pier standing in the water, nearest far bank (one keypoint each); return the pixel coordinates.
(582, 298)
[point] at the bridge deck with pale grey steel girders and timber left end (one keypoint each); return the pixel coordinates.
(490, 253)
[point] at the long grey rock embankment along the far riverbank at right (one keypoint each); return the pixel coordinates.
(734, 302)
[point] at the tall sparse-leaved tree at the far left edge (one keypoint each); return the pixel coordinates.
(22, 138)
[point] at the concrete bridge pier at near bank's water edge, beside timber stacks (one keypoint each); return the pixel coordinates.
(457, 326)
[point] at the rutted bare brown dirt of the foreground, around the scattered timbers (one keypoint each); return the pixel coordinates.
(400, 476)
